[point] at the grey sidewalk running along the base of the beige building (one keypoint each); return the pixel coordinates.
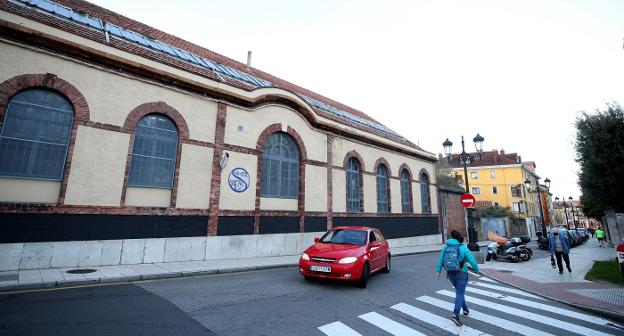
(59, 277)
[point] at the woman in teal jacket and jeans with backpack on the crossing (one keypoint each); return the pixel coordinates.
(453, 257)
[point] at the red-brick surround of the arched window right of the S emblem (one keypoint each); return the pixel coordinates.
(262, 139)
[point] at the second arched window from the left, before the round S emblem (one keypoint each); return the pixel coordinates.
(154, 153)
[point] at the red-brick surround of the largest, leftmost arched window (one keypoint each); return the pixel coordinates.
(12, 86)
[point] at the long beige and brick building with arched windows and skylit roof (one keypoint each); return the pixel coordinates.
(123, 144)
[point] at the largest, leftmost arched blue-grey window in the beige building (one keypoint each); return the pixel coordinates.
(35, 136)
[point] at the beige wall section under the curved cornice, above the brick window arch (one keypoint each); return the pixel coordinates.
(254, 122)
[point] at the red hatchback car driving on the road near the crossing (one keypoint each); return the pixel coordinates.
(348, 253)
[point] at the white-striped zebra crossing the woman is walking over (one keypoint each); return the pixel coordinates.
(498, 309)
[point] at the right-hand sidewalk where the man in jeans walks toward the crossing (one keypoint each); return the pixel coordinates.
(538, 277)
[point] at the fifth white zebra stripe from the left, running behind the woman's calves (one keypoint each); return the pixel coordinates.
(570, 327)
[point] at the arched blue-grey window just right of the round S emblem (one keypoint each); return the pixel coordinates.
(280, 164)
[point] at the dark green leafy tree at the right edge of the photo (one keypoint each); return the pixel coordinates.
(600, 153)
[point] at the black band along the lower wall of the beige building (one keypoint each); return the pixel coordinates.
(24, 228)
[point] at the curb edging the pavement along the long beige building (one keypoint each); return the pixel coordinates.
(157, 276)
